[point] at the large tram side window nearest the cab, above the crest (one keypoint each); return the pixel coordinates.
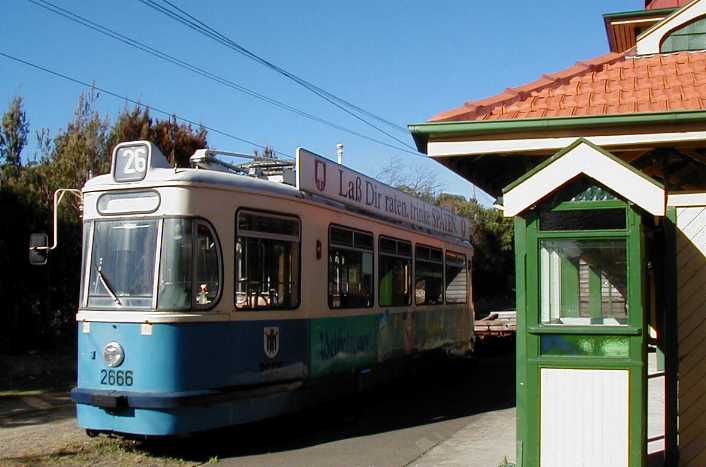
(266, 261)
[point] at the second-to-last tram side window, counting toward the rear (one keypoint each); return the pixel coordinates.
(428, 275)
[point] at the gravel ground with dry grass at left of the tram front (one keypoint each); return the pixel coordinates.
(37, 418)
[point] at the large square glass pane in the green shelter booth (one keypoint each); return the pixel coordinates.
(583, 282)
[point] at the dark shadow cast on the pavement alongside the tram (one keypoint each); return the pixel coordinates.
(443, 389)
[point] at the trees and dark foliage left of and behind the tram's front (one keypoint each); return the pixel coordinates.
(39, 303)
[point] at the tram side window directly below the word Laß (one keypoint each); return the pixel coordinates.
(350, 268)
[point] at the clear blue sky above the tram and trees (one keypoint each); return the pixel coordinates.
(403, 60)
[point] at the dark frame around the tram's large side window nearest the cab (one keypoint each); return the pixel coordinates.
(263, 235)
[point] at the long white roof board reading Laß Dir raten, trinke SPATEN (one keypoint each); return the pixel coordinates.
(321, 176)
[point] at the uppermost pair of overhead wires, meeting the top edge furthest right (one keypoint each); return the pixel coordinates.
(206, 30)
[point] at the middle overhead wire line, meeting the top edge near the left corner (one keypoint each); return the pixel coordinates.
(195, 69)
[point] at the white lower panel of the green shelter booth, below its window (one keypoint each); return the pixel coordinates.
(584, 418)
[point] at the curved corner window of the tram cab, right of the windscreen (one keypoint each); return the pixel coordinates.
(189, 271)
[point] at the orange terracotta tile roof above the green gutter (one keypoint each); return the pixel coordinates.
(607, 85)
